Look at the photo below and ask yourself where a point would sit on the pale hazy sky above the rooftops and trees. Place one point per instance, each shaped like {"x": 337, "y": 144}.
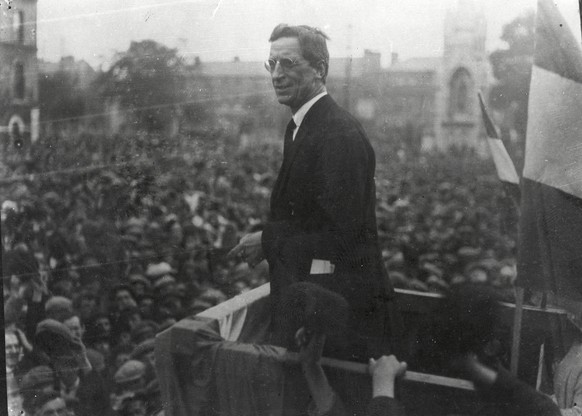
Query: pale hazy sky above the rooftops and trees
{"x": 219, "y": 30}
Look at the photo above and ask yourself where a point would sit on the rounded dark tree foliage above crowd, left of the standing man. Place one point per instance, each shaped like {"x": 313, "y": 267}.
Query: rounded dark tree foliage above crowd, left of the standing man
{"x": 147, "y": 82}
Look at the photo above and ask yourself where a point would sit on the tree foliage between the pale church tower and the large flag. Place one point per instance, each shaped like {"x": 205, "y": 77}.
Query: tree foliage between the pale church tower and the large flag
{"x": 512, "y": 70}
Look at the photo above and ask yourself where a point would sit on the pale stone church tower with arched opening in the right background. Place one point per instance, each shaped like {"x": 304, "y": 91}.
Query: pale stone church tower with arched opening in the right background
{"x": 465, "y": 71}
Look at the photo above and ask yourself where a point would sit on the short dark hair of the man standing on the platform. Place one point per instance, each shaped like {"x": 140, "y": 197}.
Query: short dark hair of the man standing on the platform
{"x": 312, "y": 42}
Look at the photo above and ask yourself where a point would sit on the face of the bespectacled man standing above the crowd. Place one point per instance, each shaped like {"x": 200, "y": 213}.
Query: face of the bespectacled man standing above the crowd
{"x": 297, "y": 85}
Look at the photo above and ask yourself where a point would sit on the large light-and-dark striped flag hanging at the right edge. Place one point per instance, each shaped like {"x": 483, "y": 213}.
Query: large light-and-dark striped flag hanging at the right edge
{"x": 550, "y": 229}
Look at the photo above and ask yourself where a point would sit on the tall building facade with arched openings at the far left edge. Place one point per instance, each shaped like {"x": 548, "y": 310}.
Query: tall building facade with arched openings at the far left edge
{"x": 19, "y": 114}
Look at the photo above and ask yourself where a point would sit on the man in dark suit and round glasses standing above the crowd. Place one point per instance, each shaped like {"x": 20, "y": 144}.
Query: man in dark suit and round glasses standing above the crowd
{"x": 322, "y": 225}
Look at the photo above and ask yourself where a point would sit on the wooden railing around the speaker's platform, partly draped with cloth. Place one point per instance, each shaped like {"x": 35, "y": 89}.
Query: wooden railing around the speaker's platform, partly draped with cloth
{"x": 242, "y": 318}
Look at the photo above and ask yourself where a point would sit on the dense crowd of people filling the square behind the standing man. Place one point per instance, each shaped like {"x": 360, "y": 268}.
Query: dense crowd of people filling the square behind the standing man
{"x": 107, "y": 241}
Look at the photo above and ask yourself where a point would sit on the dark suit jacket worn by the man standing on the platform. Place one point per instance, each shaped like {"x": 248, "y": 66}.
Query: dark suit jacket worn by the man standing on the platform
{"x": 323, "y": 207}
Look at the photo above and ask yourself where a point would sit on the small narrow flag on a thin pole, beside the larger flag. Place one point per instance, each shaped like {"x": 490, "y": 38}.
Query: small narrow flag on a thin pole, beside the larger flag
{"x": 503, "y": 163}
